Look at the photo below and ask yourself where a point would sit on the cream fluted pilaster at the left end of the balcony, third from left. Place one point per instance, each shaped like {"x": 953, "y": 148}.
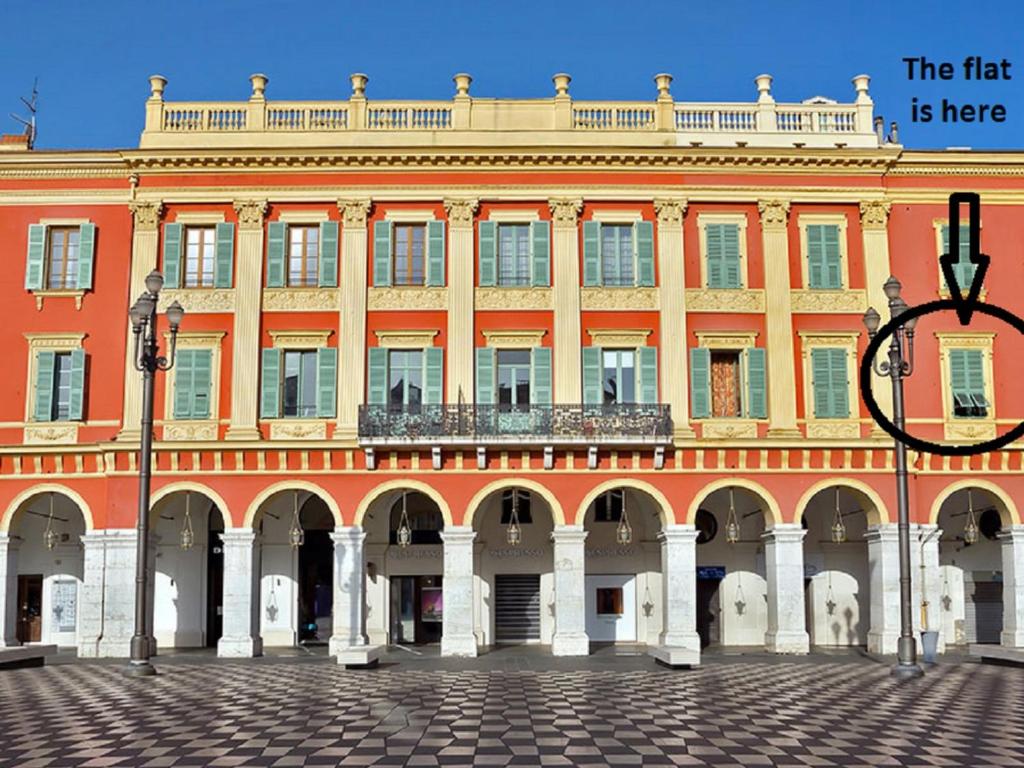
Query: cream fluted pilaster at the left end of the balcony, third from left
{"x": 353, "y": 318}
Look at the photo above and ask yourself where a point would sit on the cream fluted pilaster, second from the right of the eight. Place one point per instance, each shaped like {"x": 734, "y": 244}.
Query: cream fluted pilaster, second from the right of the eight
{"x": 779, "y": 320}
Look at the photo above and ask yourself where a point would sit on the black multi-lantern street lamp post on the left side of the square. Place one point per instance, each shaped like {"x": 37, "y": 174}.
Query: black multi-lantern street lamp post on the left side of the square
{"x": 148, "y": 360}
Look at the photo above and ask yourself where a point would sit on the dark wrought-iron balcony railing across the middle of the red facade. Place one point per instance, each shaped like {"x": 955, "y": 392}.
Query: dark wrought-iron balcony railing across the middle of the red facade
{"x": 620, "y": 424}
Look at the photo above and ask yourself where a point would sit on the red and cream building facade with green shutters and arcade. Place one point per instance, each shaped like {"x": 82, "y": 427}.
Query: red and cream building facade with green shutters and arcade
{"x": 490, "y": 371}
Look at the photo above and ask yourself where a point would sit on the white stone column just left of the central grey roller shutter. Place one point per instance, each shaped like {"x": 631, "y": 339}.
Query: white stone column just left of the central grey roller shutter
{"x": 457, "y": 592}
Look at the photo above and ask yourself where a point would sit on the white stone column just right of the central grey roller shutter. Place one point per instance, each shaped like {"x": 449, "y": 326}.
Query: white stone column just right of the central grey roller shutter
{"x": 571, "y": 606}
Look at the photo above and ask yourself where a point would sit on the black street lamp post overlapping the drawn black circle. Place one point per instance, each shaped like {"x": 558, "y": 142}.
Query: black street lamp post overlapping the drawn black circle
{"x": 900, "y": 367}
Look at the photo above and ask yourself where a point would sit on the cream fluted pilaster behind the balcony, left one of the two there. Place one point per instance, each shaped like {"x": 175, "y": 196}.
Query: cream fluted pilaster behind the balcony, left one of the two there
{"x": 460, "y": 311}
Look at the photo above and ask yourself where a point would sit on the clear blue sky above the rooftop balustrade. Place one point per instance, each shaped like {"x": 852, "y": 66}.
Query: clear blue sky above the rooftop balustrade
{"x": 93, "y": 59}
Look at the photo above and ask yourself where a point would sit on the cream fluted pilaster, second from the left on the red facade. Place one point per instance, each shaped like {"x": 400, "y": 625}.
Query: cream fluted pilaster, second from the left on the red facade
{"x": 245, "y": 348}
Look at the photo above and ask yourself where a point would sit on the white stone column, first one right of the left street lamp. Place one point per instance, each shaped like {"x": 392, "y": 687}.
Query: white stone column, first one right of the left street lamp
{"x": 241, "y": 631}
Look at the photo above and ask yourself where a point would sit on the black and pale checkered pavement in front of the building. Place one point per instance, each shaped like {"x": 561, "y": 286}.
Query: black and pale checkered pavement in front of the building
{"x": 734, "y": 713}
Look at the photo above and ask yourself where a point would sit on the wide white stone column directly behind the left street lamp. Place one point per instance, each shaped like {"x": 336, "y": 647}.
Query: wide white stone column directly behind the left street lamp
{"x": 107, "y": 619}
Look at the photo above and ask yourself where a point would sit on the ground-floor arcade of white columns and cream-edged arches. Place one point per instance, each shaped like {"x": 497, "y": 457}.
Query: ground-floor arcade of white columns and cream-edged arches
{"x": 733, "y": 564}
